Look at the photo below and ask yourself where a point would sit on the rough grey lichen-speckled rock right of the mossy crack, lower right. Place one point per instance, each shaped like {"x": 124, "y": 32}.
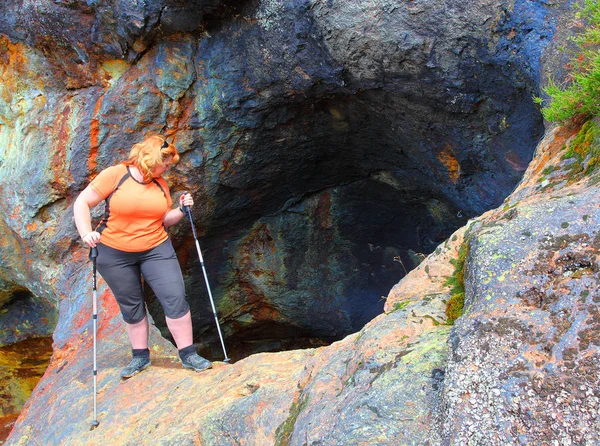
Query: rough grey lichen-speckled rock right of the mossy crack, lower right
{"x": 523, "y": 363}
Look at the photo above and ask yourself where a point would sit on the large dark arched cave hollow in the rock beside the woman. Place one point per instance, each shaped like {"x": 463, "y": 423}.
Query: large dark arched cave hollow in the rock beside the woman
{"x": 318, "y": 213}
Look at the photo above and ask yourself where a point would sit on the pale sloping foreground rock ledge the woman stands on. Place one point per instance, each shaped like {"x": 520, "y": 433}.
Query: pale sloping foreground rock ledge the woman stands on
{"x": 519, "y": 367}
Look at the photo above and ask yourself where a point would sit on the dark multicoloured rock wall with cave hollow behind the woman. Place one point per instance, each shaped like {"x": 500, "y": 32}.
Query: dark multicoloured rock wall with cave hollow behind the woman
{"x": 329, "y": 144}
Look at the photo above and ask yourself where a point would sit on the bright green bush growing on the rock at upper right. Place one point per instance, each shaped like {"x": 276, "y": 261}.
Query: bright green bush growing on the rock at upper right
{"x": 579, "y": 96}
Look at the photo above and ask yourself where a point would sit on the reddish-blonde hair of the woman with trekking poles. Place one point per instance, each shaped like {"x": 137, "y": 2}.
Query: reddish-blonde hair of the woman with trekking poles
{"x": 149, "y": 153}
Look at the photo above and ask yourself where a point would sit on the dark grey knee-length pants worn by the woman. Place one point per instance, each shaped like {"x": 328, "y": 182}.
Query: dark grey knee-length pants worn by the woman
{"x": 160, "y": 268}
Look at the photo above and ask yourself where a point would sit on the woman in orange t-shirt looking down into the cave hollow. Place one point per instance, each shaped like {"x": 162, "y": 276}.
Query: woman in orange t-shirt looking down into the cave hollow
{"x": 132, "y": 243}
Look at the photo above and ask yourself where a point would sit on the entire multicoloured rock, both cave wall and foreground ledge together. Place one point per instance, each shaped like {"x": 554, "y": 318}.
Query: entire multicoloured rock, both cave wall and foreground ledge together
{"x": 330, "y": 144}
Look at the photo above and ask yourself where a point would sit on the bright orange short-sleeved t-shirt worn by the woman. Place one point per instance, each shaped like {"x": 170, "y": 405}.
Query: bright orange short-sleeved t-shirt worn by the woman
{"x": 133, "y": 217}
